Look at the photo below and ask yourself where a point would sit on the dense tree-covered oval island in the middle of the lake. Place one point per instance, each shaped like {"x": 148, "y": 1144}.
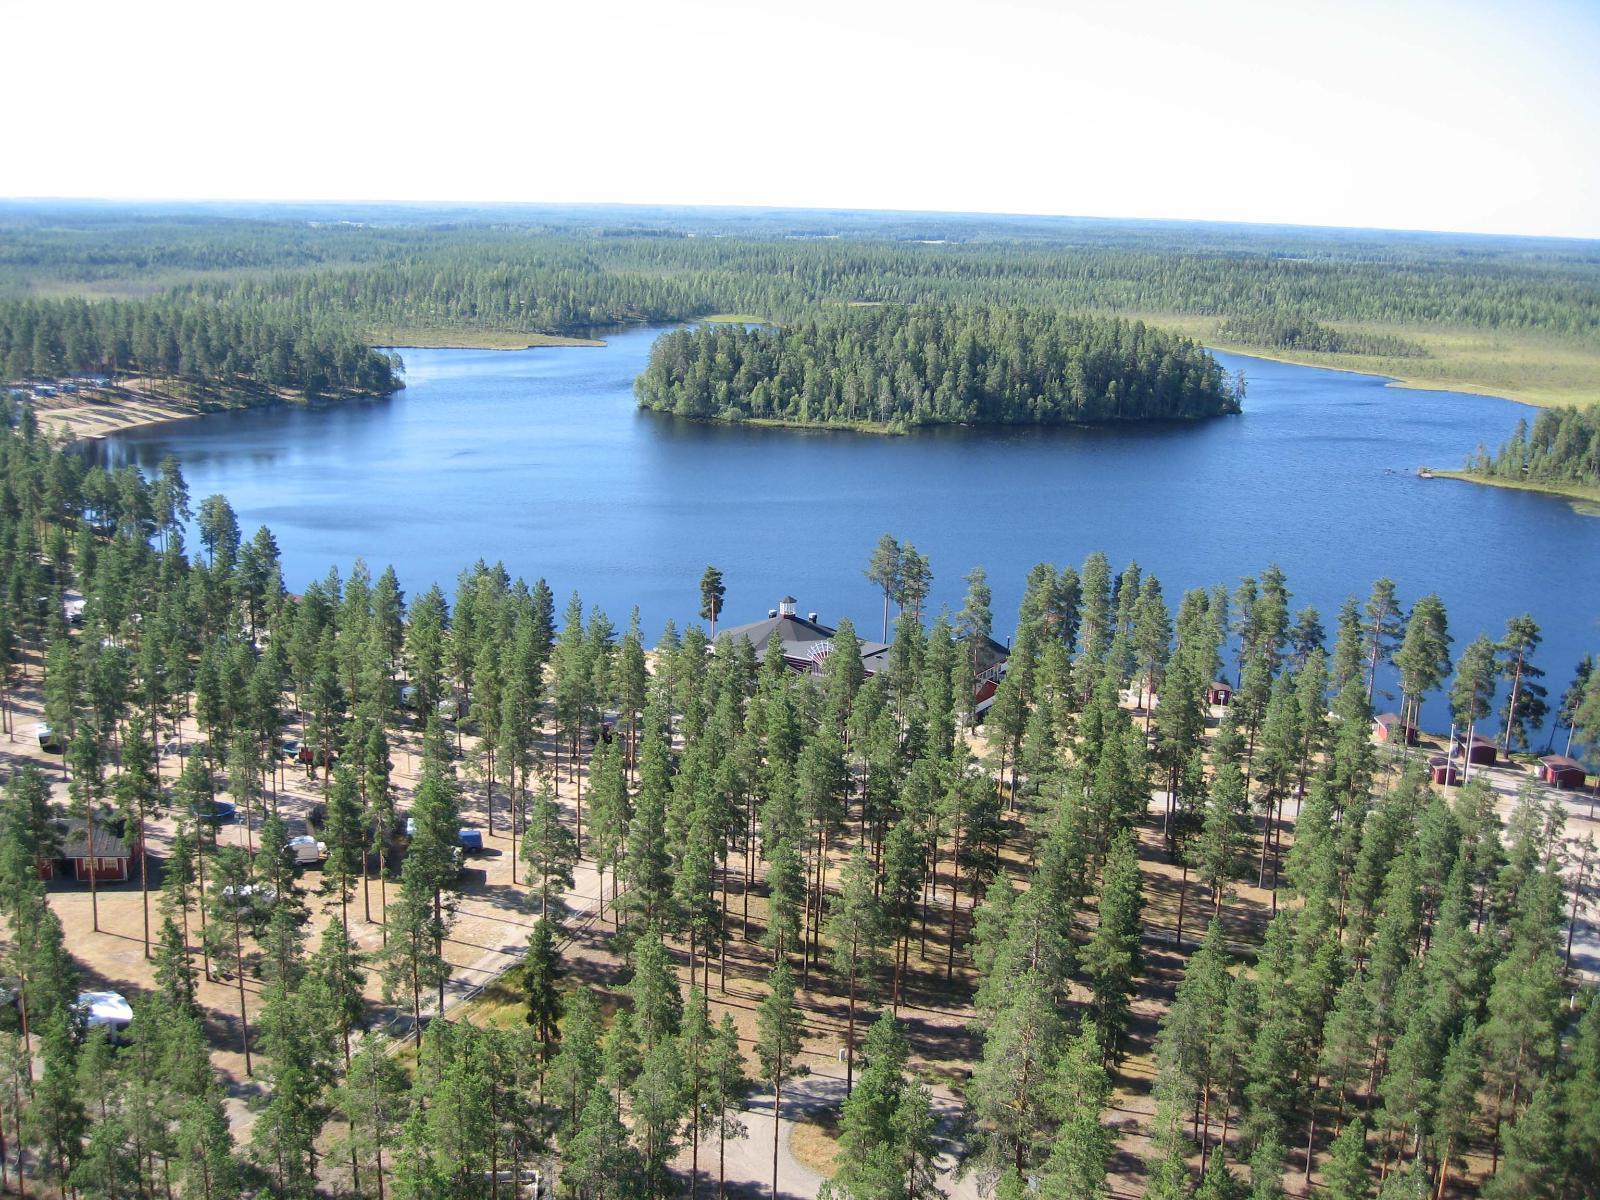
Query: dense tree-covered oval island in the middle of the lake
{"x": 906, "y": 367}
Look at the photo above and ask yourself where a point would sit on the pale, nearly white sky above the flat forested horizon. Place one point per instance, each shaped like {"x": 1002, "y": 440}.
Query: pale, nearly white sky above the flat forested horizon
{"x": 1406, "y": 114}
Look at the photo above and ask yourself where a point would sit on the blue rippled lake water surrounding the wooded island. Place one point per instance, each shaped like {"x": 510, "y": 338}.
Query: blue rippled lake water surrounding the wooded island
{"x": 542, "y": 460}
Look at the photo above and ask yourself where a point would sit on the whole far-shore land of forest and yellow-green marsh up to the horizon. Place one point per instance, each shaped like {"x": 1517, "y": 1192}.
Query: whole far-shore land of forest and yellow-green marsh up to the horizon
{"x": 1513, "y": 316}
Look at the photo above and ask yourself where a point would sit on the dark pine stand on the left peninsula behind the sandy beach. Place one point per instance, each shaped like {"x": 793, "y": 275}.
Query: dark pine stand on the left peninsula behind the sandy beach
{"x": 186, "y": 340}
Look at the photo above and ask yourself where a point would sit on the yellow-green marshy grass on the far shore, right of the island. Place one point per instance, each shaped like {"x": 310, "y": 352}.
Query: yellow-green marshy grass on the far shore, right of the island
{"x": 1514, "y": 364}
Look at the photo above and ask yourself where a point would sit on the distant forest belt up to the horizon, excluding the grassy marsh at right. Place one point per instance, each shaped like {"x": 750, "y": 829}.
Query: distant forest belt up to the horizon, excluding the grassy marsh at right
{"x": 551, "y": 270}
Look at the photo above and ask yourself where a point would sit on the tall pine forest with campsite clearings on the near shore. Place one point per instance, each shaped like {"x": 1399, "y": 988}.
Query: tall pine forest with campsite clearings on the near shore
{"x": 1114, "y": 938}
